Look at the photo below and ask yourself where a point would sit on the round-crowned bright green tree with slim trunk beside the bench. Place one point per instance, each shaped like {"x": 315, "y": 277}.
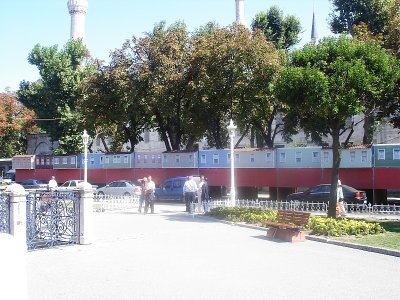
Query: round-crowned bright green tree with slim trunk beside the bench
{"x": 329, "y": 83}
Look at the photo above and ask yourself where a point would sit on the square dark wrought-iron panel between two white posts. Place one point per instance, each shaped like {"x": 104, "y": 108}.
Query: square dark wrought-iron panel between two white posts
{"x": 52, "y": 219}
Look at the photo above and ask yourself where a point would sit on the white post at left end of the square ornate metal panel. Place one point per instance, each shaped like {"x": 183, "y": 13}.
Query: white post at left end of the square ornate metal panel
{"x": 18, "y": 213}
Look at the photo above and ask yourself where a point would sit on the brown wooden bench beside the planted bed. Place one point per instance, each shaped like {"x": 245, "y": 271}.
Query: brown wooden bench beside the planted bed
{"x": 289, "y": 226}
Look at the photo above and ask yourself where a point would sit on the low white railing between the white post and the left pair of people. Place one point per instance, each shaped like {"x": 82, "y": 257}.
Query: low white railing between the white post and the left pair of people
{"x": 102, "y": 203}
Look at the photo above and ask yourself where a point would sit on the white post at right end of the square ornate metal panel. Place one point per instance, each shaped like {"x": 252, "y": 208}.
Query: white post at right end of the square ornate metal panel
{"x": 86, "y": 222}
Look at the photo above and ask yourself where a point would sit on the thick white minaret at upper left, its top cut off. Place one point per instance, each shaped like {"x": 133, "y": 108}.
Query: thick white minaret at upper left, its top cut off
{"x": 77, "y": 9}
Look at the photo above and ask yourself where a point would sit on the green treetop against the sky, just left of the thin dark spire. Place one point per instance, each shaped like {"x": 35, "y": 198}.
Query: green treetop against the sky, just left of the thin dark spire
{"x": 282, "y": 31}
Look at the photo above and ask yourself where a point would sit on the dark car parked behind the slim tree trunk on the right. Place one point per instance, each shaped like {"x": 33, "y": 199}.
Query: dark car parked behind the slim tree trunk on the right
{"x": 321, "y": 193}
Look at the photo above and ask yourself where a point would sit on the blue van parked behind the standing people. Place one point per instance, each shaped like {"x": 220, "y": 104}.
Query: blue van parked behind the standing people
{"x": 172, "y": 189}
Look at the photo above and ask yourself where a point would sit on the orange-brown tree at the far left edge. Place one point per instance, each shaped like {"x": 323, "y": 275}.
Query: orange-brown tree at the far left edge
{"x": 16, "y": 122}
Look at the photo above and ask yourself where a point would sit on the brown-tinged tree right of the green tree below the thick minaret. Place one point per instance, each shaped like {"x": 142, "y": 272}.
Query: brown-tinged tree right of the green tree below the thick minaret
{"x": 115, "y": 102}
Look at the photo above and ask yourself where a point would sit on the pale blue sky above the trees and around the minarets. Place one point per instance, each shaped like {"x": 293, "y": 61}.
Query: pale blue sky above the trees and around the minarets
{"x": 25, "y": 23}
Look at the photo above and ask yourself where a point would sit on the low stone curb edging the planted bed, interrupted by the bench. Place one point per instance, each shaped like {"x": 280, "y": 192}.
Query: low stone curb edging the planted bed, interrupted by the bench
{"x": 320, "y": 239}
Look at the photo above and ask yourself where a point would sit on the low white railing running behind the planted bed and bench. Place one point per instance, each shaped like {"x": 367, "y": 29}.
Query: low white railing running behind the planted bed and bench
{"x": 300, "y": 206}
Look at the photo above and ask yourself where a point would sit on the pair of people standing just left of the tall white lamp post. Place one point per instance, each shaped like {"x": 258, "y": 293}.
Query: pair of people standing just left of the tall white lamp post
{"x": 192, "y": 191}
